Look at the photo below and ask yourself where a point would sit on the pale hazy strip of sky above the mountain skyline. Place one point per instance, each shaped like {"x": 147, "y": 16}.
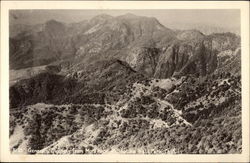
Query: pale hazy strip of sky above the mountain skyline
{"x": 173, "y": 18}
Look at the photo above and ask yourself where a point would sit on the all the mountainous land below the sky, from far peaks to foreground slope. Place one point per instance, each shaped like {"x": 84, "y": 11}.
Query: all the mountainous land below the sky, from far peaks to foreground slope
{"x": 124, "y": 84}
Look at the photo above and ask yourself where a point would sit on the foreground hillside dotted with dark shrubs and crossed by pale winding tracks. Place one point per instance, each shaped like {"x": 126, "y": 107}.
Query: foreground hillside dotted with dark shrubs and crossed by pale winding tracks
{"x": 158, "y": 116}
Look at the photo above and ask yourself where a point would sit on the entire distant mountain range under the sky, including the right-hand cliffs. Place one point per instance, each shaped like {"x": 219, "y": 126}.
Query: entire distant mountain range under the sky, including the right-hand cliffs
{"x": 125, "y": 37}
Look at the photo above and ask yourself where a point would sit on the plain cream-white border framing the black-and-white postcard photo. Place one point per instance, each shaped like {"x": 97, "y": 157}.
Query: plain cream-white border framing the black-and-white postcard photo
{"x": 6, "y": 5}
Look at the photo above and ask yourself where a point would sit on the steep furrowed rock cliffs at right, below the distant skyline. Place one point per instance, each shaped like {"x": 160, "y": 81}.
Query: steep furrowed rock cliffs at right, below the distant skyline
{"x": 195, "y": 55}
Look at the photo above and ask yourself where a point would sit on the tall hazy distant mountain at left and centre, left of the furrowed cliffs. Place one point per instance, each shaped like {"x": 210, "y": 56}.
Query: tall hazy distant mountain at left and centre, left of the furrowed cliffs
{"x": 57, "y": 41}
